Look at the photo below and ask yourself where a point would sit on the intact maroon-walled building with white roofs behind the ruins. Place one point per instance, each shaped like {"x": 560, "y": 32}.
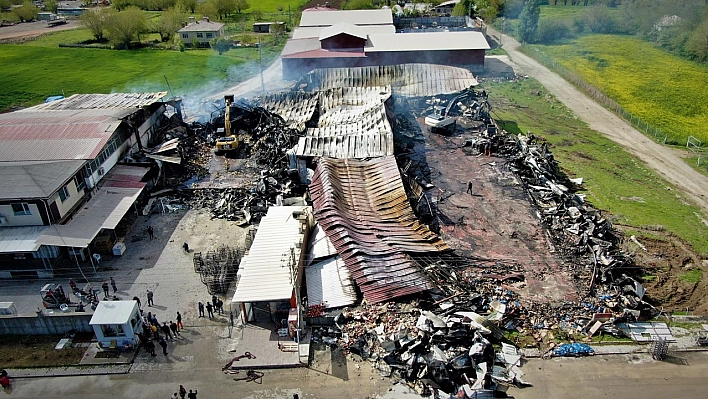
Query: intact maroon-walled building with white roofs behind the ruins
{"x": 362, "y": 38}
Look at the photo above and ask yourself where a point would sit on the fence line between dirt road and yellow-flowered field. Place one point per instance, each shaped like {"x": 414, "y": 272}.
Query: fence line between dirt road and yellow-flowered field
{"x": 592, "y": 91}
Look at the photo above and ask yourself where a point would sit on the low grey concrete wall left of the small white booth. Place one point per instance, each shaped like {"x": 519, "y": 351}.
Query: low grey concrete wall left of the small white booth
{"x": 45, "y": 324}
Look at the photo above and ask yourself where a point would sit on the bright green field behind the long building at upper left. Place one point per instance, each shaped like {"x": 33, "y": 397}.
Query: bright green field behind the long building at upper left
{"x": 40, "y": 69}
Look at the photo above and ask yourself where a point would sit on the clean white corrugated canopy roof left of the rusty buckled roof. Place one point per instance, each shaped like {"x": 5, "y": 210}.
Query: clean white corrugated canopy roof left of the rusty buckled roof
{"x": 265, "y": 273}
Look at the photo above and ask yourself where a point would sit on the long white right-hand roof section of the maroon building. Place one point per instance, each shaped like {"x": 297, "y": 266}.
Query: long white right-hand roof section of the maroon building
{"x": 427, "y": 41}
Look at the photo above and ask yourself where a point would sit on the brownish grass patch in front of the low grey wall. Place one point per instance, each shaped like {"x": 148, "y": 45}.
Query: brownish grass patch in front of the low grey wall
{"x": 37, "y": 351}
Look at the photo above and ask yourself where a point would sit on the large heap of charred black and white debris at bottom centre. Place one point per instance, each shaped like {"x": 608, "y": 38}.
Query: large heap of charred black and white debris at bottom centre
{"x": 439, "y": 355}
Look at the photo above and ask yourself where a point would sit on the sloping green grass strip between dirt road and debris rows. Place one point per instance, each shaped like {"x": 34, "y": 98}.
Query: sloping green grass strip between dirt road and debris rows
{"x": 613, "y": 180}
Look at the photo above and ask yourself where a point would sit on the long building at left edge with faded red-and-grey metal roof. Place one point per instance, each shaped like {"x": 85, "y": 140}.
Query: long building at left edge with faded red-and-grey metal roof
{"x": 61, "y": 182}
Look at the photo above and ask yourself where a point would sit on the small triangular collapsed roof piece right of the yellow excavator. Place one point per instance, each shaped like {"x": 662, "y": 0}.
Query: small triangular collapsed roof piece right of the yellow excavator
{"x": 296, "y": 108}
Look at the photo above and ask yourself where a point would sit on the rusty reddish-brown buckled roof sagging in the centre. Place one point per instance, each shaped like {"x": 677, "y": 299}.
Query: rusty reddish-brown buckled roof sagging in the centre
{"x": 363, "y": 208}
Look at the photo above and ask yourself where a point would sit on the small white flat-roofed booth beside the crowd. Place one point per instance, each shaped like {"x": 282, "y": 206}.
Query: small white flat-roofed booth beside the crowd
{"x": 117, "y": 321}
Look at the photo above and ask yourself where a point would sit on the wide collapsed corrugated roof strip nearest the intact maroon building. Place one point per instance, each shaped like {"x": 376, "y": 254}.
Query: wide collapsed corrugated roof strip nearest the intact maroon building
{"x": 412, "y": 80}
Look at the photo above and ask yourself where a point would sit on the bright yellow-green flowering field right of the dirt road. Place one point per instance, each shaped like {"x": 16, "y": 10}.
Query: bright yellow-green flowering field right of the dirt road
{"x": 666, "y": 91}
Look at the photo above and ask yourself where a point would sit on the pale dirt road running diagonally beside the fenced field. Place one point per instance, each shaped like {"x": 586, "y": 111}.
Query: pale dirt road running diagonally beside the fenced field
{"x": 663, "y": 160}
